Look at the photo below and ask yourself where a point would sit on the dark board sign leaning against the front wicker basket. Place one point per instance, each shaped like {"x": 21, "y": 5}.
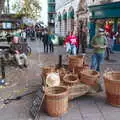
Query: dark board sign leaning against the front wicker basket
{"x": 37, "y": 102}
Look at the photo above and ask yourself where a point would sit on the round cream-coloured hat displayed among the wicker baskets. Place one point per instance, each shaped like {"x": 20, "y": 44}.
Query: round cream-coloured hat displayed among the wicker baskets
{"x": 53, "y": 79}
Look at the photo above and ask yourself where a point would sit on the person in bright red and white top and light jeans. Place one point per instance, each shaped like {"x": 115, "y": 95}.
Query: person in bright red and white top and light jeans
{"x": 73, "y": 40}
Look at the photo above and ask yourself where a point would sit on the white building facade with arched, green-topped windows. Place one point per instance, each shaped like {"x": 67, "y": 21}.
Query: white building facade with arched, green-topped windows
{"x": 66, "y": 17}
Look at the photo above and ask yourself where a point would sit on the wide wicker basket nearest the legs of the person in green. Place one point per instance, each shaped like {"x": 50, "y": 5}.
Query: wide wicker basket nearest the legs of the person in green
{"x": 89, "y": 77}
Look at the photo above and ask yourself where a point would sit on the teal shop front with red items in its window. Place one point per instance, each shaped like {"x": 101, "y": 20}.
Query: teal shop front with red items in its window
{"x": 101, "y": 16}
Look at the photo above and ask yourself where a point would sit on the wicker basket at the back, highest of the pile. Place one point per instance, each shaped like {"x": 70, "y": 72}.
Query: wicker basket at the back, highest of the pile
{"x": 75, "y": 61}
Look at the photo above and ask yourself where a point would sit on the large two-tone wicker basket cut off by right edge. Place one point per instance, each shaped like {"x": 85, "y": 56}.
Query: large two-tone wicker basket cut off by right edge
{"x": 112, "y": 86}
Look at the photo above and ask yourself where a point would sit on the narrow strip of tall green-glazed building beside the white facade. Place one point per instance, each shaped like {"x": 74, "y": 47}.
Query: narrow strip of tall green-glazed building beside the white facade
{"x": 51, "y": 15}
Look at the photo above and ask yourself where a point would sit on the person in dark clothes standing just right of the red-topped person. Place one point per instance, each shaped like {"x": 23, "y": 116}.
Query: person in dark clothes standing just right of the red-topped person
{"x": 84, "y": 40}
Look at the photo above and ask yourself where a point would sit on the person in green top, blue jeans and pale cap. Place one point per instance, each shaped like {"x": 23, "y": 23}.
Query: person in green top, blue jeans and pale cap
{"x": 99, "y": 44}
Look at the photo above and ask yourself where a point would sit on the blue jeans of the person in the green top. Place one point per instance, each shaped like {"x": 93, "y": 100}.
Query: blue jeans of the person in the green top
{"x": 97, "y": 60}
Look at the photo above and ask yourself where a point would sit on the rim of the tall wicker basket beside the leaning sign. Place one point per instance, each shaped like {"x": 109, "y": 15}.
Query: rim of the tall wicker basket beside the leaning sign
{"x": 60, "y": 94}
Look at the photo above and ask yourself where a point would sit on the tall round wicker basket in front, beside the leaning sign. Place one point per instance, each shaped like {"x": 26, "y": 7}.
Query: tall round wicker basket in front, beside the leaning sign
{"x": 56, "y": 100}
